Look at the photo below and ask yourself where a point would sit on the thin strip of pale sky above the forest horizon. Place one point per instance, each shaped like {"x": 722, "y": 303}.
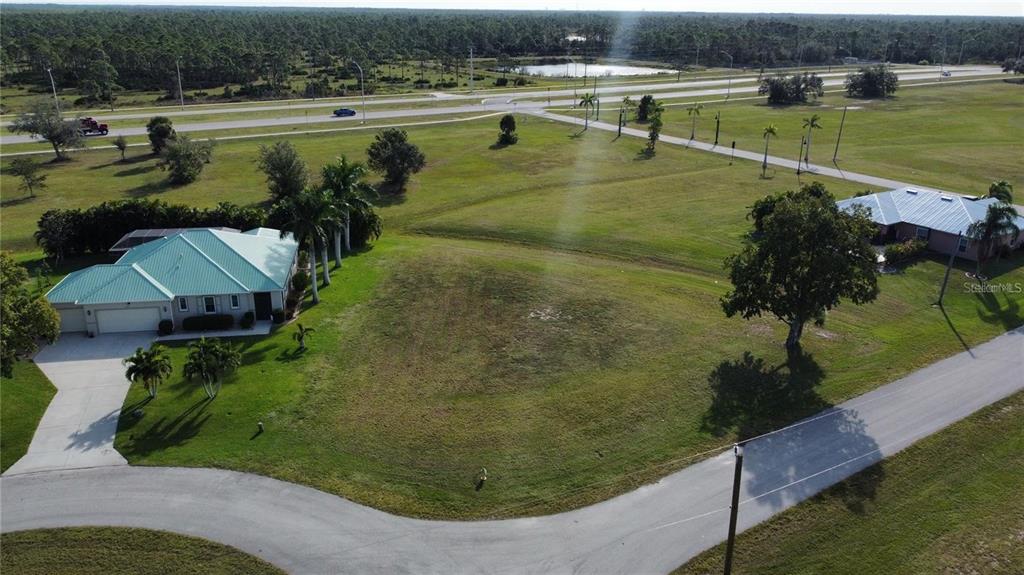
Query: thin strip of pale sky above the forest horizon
{"x": 936, "y": 8}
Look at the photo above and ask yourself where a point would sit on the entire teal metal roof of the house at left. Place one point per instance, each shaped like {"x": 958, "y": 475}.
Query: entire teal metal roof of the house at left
{"x": 196, "y": 262}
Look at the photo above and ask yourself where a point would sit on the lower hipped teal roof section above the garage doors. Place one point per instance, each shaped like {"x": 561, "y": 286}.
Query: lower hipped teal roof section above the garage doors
{"x": 109, "y": 284}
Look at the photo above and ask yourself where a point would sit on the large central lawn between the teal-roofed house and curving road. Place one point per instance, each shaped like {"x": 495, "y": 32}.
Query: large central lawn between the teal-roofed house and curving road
{"x": 548, "y": 312}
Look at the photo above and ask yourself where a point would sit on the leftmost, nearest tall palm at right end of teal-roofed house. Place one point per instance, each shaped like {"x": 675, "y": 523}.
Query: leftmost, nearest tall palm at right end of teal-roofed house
{"x": 308, "y": 215}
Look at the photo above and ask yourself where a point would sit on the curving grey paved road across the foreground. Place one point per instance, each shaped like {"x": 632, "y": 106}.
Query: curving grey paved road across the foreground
{"x": 651, "y": 530}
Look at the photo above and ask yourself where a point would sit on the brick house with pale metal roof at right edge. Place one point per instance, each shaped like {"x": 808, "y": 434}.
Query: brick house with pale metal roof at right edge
{"x": 935, "y": 217}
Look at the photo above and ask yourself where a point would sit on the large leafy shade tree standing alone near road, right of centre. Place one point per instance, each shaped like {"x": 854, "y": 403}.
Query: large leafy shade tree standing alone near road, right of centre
{"x": 807, "y": 257}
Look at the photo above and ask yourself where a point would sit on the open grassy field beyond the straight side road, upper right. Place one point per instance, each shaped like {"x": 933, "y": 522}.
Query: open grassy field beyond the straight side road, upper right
{"x": 957, "y": 138}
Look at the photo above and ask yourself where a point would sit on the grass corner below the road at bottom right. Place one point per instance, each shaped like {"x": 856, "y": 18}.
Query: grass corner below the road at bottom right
{"x": 951, "y": 504}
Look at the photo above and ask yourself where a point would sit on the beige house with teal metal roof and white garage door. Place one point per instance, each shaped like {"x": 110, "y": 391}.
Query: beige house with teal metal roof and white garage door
{"x": 193, "y": 273}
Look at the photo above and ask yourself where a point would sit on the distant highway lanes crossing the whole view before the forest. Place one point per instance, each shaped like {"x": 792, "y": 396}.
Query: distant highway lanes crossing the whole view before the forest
{"x": 522, "y": 102}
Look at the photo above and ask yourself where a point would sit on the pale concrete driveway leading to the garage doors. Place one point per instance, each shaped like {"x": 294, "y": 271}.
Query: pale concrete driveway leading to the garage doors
{"x": 78, "y": 429}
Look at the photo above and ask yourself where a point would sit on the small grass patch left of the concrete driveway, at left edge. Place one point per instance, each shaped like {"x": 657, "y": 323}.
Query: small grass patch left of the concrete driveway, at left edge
{"x": 26, "y": 396}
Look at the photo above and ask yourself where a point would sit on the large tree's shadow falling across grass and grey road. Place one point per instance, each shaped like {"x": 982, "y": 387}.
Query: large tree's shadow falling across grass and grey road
{"x": 752, "y": 399}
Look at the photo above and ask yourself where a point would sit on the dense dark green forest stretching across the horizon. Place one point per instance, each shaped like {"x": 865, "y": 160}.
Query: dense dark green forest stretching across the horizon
{"x": 99, "y": 50}
